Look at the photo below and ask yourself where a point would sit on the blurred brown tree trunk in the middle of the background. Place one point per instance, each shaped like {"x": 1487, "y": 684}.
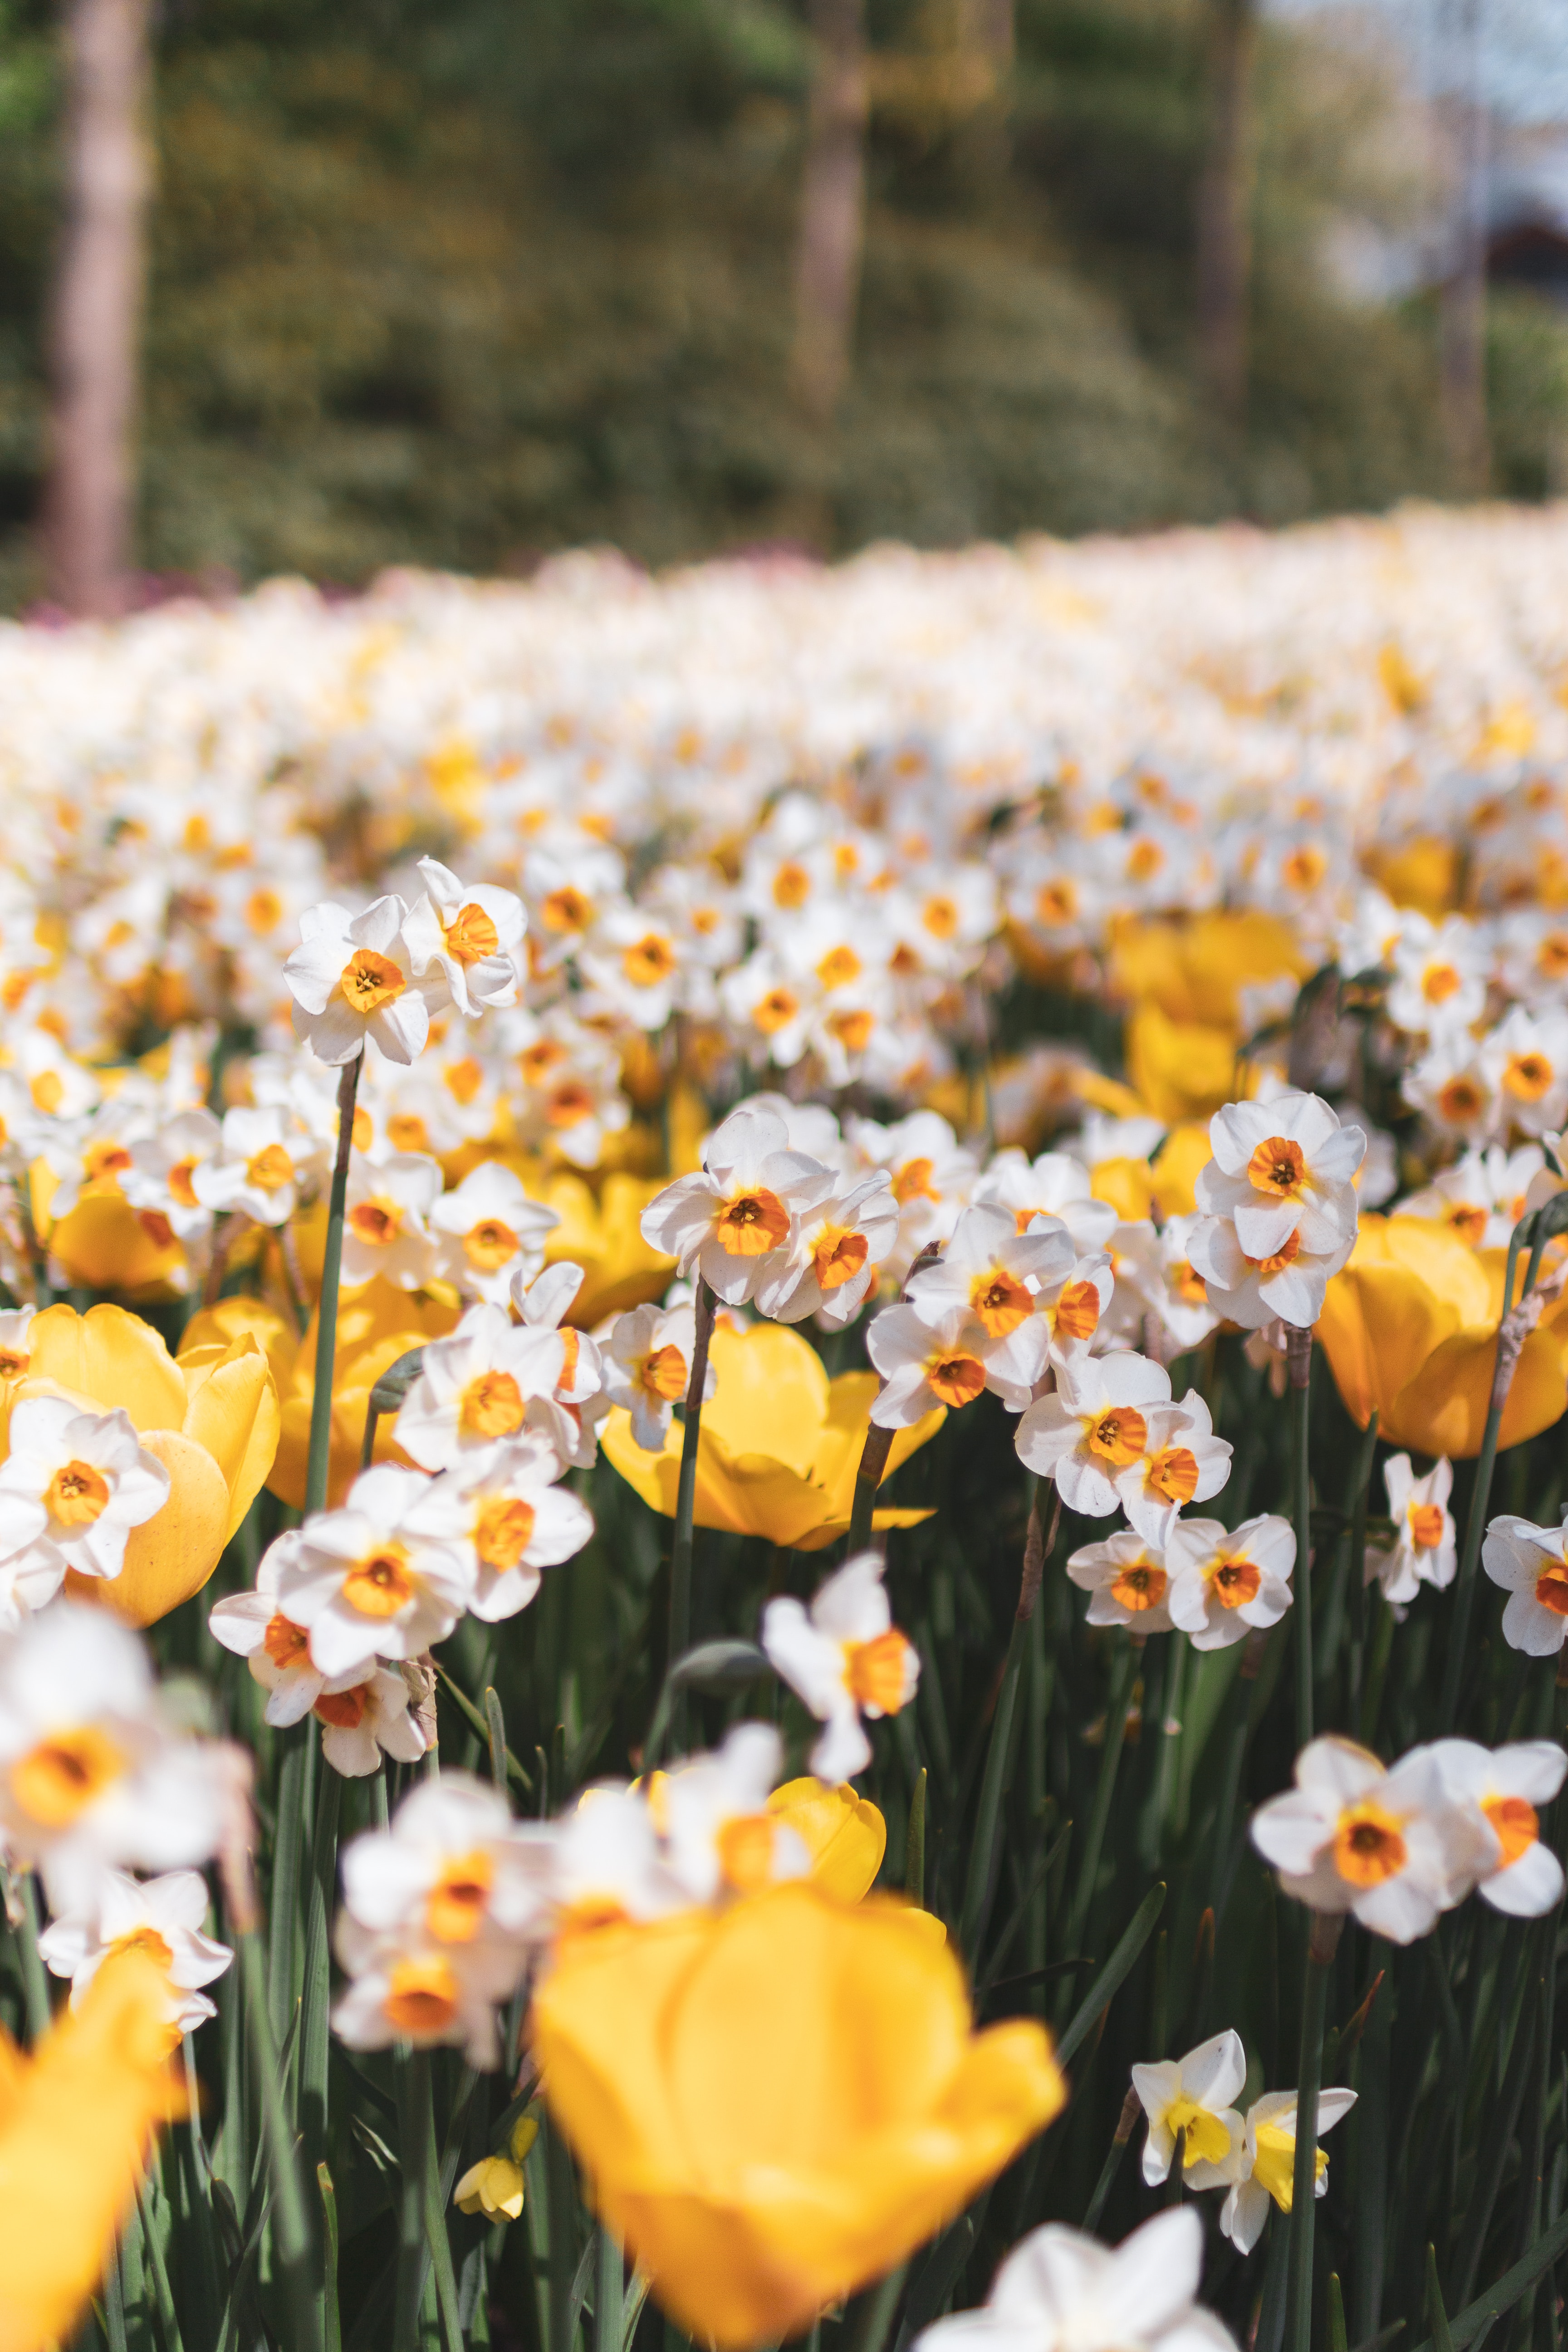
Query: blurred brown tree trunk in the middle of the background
{"x": 833, "y": 208}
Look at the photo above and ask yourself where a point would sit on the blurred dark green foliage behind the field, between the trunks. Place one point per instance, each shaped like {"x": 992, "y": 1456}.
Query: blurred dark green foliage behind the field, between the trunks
{"x": 469, "y": 283}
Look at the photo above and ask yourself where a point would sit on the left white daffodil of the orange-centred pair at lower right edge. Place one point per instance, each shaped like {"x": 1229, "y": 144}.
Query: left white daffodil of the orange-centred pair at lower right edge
{"x": 1383, "y": 1845}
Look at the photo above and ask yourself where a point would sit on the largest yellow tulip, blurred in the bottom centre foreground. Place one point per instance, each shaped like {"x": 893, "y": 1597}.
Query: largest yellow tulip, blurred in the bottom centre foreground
{"x": 779, "y": 2102}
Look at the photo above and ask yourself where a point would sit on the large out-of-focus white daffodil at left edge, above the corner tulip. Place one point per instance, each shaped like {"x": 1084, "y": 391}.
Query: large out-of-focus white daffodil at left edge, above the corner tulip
{"x": 91, "y": 1775}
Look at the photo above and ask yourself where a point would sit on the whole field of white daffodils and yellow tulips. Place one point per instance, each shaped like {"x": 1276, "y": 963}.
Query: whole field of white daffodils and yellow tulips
{"x": 523, "y": 1109}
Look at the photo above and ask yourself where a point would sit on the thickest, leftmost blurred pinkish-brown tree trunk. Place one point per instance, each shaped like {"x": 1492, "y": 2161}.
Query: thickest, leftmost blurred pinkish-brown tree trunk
{"x": 95, "y": 307}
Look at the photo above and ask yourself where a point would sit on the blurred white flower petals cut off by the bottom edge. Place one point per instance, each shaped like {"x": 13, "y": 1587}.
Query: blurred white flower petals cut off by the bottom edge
{"x": 1064, "y": 2292}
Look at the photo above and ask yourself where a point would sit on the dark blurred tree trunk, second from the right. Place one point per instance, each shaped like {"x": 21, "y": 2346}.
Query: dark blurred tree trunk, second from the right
{"x": 1226, "y": 208}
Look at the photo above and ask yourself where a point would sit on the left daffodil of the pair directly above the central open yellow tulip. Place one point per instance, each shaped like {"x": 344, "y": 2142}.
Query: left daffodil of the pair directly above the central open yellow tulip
{"x": 735, "y": 1222}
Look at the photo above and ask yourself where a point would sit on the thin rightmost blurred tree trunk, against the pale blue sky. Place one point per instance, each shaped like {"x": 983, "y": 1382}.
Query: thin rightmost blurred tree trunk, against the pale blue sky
{"x": 1463, "y": 295}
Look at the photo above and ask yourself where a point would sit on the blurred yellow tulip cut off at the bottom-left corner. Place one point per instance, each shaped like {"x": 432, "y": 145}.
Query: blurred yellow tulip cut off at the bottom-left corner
{"x": 76, "y": 2120}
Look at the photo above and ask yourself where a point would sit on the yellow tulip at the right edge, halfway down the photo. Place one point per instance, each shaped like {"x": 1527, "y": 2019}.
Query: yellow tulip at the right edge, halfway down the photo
{"x": 1412, "y": 1330}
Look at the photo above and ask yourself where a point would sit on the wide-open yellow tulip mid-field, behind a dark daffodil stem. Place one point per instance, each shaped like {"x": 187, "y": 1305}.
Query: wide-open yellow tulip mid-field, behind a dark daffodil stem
{"x": 779, "y": 1448}
